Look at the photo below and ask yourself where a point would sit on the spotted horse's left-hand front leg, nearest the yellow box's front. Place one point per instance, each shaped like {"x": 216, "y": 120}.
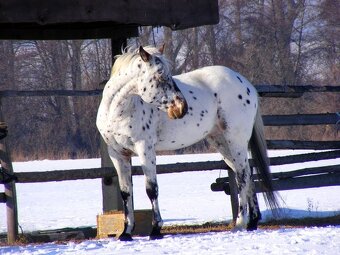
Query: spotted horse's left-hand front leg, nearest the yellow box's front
{"x": 123, "y": 168}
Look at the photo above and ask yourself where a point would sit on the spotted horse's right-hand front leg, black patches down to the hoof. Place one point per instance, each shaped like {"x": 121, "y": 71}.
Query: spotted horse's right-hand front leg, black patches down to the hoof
{"x": 147, "y": 155}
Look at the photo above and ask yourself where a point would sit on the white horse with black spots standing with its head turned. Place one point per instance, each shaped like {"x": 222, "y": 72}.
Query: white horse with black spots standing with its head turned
{"x": 145, "y": 109}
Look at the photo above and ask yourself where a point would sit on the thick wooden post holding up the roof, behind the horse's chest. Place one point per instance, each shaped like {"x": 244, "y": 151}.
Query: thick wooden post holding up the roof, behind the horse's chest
{"x": 110, "y": 187}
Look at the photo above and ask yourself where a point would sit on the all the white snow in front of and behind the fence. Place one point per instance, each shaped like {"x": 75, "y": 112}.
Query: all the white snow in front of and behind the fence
{"x": 185, "y": 198}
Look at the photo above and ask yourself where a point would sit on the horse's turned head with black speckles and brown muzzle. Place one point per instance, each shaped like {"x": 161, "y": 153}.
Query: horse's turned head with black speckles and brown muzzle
{"x": 156, "y": 85}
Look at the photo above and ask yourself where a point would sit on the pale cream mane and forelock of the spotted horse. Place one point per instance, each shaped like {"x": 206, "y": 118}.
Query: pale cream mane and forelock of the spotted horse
{"x": 131, "y": 53}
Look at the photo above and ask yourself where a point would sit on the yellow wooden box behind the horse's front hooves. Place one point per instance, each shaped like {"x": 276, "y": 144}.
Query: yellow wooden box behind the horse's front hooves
{"x": 111, "y": 224}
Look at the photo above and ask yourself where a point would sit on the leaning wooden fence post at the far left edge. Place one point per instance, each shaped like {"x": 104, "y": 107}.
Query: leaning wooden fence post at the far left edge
{"x": 10, "y": 191}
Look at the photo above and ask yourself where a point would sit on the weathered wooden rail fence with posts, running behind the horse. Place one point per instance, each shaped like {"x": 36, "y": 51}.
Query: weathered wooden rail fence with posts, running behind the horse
{"x": 107, "y": 173}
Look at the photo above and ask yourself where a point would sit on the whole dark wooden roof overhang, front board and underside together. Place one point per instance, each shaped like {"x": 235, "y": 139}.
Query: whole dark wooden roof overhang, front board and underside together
{"x": 20, "y": 19}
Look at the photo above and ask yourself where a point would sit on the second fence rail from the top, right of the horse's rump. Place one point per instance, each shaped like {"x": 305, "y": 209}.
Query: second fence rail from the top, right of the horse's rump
{"x": 300, "y": 119}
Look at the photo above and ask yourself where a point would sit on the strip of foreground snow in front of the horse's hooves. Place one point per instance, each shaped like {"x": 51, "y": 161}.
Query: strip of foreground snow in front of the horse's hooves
{"x": 284, "y": 241}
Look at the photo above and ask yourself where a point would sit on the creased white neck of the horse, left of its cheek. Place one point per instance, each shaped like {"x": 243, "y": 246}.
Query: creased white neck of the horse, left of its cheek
{"x": 117, "y": 95}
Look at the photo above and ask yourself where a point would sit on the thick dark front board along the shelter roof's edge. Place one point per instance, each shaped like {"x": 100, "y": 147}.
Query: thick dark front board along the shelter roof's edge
{"x": 183, "y": 13}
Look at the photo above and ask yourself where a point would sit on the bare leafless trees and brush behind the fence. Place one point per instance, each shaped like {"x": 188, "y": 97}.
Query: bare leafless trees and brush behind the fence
{"x": 270, "y": 42}
